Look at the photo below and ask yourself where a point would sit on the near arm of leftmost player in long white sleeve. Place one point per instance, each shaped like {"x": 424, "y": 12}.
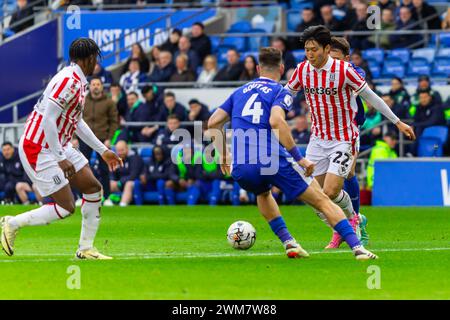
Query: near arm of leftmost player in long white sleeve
{"x": 49, "y": 119}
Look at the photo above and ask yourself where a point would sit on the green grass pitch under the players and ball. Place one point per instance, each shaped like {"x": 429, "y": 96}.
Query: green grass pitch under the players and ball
{"x": 182, "y": 253}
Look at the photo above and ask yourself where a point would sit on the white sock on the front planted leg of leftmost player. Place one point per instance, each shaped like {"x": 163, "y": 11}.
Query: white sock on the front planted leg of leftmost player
{"x": 90, "y": 210}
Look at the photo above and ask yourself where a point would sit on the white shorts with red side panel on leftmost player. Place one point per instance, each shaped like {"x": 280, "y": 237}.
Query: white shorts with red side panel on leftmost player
{"x": 43, "y": 169}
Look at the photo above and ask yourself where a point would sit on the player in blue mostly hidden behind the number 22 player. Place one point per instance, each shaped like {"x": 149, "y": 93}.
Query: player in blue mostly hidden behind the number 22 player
{"x": 340, "y": 50}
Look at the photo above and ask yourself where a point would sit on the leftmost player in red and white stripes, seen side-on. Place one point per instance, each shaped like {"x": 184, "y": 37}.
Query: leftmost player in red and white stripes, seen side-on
{"x": 53, "y": 164}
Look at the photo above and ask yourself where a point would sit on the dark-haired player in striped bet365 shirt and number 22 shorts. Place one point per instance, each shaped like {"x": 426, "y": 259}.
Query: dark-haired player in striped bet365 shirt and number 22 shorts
{"x": 328, "y": 85}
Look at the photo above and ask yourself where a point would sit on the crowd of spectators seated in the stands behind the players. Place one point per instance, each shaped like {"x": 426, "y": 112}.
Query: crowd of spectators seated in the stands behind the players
{"x": 149, "y": 175}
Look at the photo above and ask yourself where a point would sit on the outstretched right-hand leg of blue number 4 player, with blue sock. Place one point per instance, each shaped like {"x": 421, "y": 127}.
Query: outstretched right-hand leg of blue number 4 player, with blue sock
{"x": 315, "y": 197}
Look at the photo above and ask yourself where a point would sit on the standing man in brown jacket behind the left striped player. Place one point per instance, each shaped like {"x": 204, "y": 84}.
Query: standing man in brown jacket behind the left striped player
{"x": 100, "y": 113}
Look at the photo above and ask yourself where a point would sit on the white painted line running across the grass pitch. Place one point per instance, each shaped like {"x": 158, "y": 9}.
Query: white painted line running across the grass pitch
{"x": 148, "y": 256}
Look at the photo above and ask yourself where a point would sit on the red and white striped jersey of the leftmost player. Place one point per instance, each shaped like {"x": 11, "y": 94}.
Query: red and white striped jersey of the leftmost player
{"x": 67, "y": 89}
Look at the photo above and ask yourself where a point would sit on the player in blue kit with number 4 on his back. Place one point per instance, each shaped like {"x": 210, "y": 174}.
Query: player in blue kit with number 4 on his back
{"x": 258, "y": 119}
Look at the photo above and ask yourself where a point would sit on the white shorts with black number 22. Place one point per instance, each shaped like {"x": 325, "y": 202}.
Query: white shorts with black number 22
{"x": 334, "y": 157}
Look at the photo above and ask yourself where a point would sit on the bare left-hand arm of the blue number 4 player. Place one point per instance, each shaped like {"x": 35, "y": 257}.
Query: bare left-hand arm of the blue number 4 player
{"x": 215, "y": 126}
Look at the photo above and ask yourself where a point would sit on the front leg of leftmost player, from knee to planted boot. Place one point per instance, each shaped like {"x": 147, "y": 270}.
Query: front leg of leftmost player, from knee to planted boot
{"x": 91, "y": 189}
